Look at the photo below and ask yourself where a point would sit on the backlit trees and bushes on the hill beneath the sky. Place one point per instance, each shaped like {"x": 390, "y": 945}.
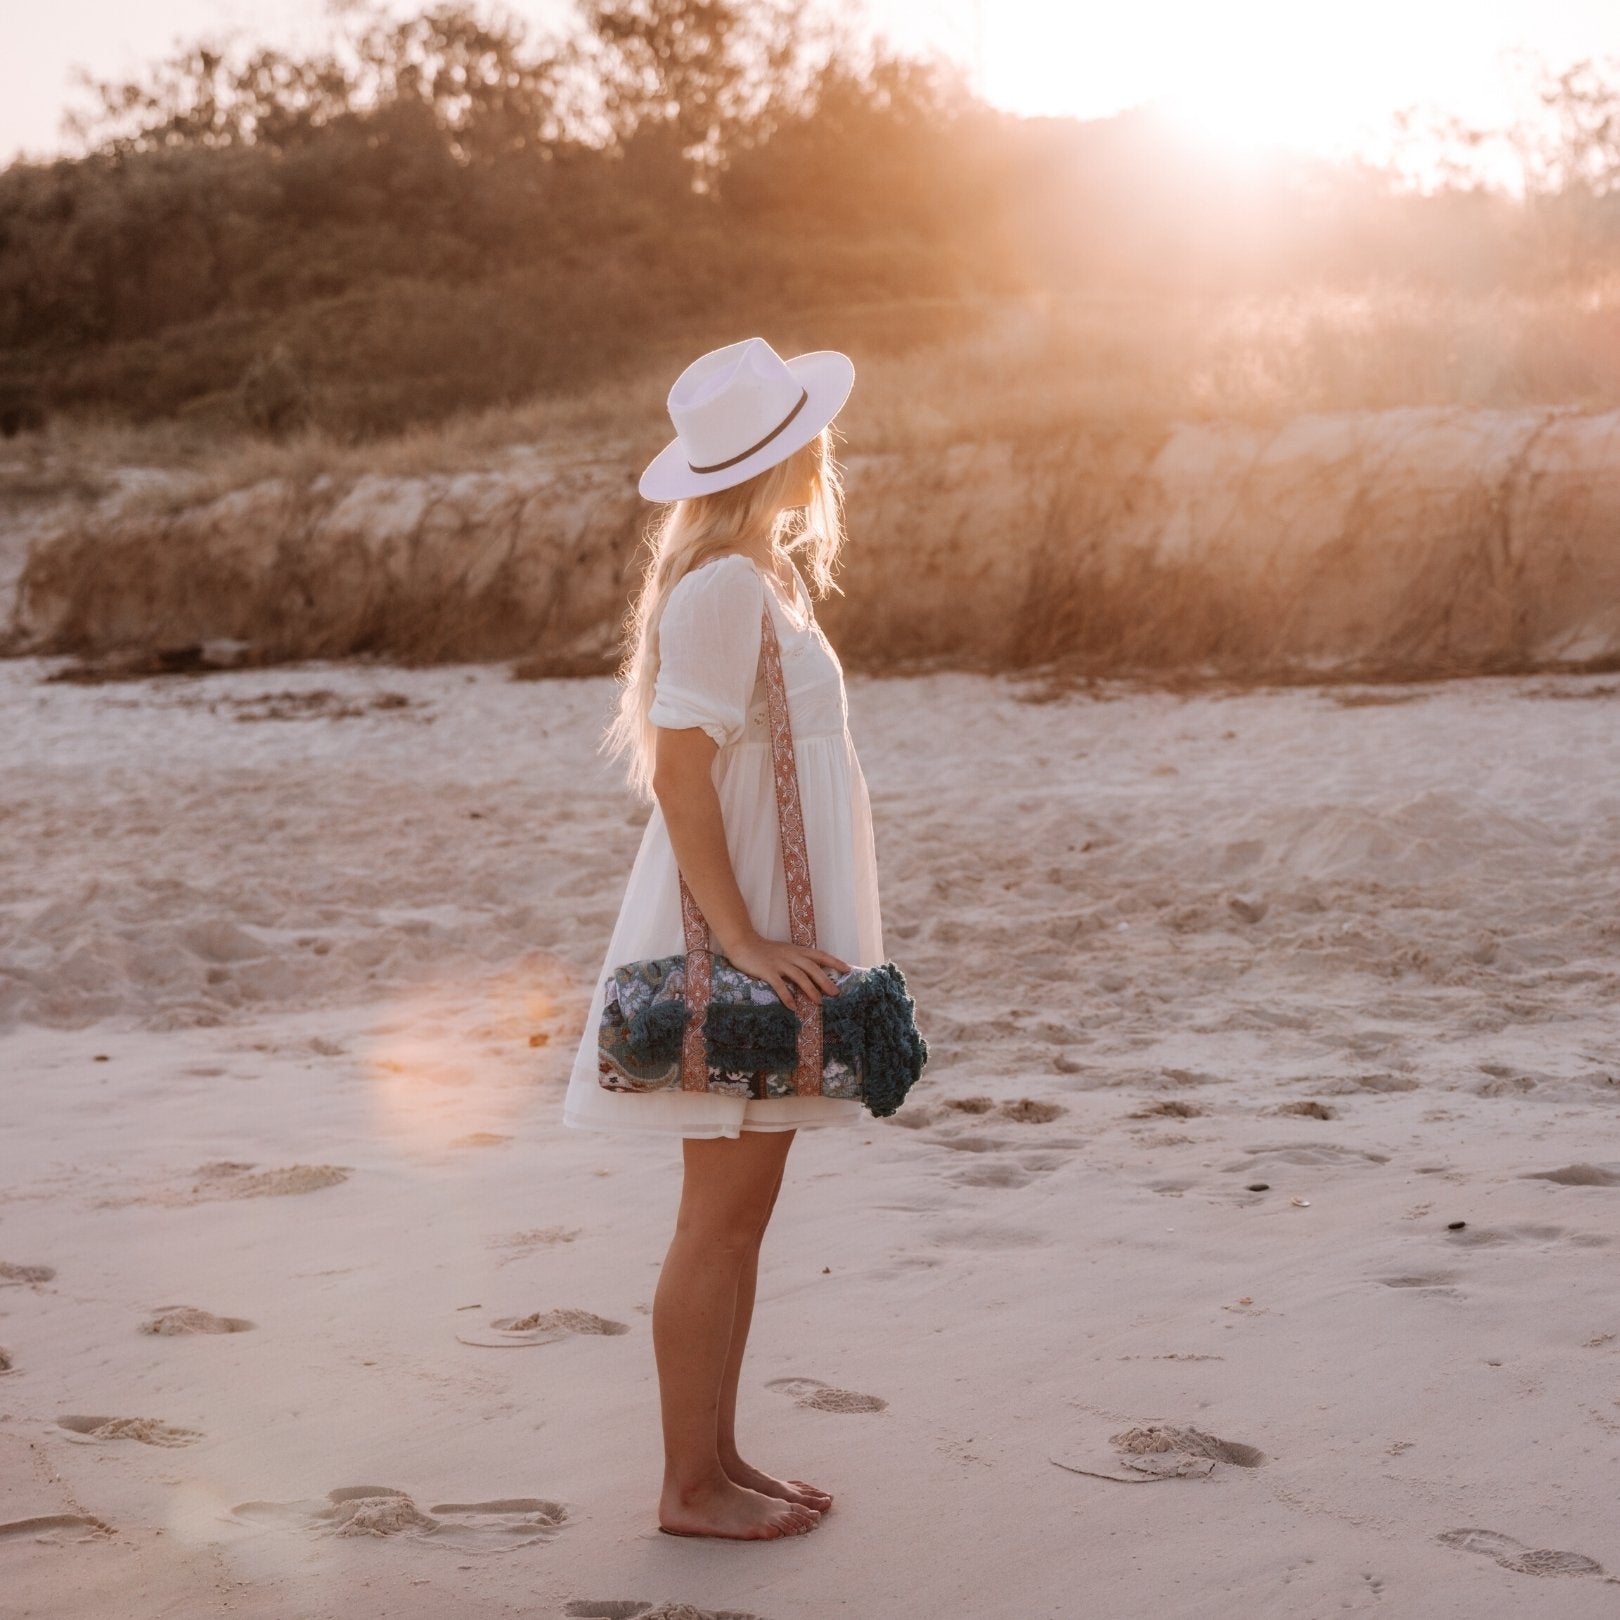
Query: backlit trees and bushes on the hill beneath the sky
{"x": 450, "y": 215}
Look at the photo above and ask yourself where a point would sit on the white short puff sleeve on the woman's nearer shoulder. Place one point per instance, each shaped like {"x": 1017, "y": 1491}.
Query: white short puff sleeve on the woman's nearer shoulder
{"x": 709, "y": 649}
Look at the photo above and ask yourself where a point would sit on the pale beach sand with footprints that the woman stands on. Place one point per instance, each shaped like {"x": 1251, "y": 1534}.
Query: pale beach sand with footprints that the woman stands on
{"x": 1363, "y": 953}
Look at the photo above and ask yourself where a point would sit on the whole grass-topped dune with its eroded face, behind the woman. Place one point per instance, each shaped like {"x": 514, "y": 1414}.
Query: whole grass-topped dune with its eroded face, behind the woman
{"x": 1005, "y": 488}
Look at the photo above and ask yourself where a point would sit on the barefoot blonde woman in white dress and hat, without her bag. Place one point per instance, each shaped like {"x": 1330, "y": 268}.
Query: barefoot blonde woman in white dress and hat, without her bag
{"x": 748, "y": 482}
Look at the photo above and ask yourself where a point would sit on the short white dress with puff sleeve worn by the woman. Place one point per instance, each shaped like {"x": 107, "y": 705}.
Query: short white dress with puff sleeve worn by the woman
{"x": 710, "y": 676}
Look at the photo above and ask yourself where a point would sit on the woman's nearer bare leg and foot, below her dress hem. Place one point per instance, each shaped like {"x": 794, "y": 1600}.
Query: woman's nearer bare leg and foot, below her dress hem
{"x": 725, "y": 1200}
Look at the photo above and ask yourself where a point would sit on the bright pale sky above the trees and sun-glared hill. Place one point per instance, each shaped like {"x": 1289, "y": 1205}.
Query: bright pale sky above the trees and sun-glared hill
{"x": 1240, "y": 72}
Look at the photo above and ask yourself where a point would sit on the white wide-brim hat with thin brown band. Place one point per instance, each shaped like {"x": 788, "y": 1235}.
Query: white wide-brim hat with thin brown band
{"x": 743, "y": 409}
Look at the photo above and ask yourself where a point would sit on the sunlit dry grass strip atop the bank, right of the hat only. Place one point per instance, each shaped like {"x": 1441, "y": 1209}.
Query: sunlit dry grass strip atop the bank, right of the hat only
{"x": 1034, "y": 370}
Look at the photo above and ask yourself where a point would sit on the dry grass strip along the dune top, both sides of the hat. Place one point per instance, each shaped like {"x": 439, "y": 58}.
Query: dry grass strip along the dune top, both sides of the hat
{"x": 1017, "y": 369}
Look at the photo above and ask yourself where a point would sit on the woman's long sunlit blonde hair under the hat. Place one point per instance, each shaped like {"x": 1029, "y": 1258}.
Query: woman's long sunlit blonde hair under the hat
{"x": 684, "y": 537}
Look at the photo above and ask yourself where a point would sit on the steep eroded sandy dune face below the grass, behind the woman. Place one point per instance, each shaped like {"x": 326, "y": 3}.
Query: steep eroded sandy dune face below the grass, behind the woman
{"x": 1413, "y": 544}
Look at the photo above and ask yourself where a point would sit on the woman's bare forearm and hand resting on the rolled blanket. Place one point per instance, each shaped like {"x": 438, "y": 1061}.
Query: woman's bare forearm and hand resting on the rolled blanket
{"x": 684, "y": 787}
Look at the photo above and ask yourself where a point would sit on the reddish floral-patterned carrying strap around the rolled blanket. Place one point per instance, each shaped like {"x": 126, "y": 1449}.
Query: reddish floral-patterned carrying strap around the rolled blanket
{"x": 801, "y": 910}
